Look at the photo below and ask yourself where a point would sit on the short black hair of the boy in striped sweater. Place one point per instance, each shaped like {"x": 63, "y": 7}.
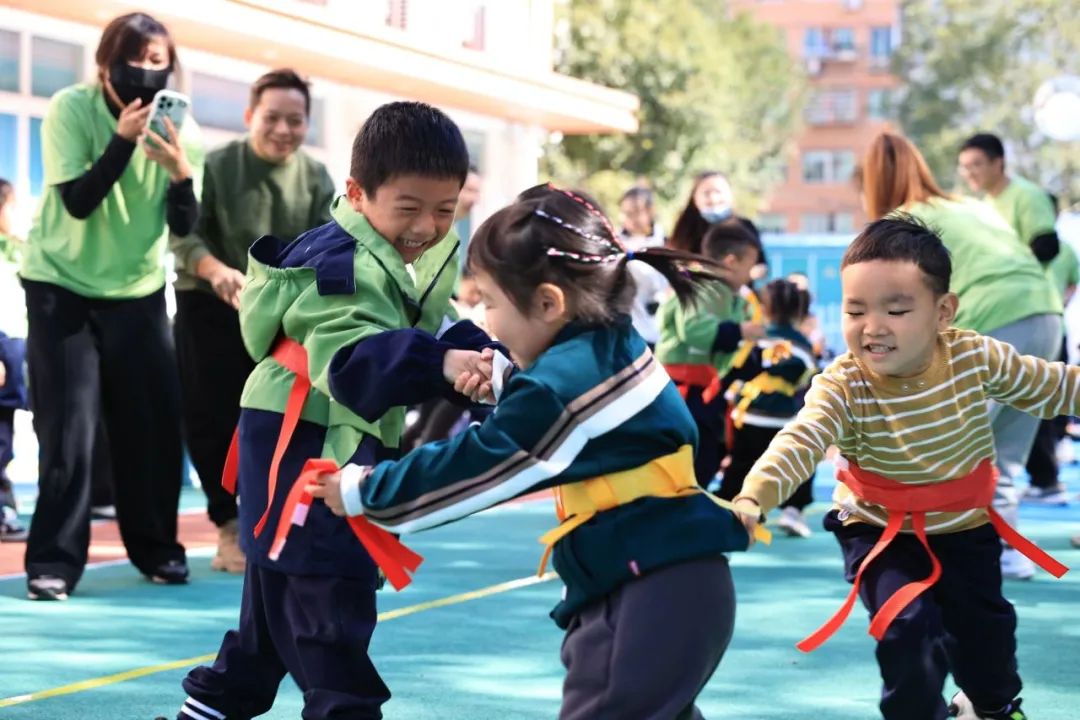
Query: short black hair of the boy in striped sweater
{"x": 900, "y": 238}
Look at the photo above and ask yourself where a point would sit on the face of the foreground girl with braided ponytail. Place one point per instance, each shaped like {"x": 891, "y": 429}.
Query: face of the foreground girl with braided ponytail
{"x": 526, "y": 336}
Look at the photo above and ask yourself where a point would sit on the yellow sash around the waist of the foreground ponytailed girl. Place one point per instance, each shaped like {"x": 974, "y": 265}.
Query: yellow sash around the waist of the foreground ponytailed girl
{"x": 670, "y": 477}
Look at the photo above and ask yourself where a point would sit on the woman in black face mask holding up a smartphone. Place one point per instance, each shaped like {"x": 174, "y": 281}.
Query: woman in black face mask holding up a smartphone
{"x": 99, "y": 341}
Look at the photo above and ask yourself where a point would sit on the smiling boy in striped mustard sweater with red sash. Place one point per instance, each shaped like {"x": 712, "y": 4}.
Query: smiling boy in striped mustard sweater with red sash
{"x": 908, "y": 409}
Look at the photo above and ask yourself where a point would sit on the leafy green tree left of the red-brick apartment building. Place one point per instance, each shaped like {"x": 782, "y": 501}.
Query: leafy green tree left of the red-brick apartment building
{"x": 717, "y": 93}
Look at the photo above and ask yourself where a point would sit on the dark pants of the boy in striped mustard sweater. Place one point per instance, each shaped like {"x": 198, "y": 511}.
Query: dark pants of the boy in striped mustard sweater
{"x": 962, "y": 624}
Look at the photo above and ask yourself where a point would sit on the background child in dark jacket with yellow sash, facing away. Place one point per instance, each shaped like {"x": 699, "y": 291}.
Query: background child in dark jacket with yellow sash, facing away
{"x": 778, "y": 370}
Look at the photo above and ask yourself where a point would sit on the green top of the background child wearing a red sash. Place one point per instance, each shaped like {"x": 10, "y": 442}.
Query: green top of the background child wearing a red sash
{"x": 687, "y": 335}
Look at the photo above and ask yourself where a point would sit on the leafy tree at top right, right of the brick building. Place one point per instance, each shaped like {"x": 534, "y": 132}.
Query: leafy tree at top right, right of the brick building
{"x": 975, "y": 66}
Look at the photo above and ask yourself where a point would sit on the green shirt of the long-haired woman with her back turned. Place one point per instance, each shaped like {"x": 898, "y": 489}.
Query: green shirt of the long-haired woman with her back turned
{"x": 997, "y": 278}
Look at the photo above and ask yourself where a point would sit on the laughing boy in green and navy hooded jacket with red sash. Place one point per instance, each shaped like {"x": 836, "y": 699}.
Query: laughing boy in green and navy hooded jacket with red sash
{"x": 345, "y": 320}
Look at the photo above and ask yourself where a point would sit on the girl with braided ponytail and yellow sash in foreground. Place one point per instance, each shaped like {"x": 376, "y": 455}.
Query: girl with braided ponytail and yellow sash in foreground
{"x": 593, "y": 416}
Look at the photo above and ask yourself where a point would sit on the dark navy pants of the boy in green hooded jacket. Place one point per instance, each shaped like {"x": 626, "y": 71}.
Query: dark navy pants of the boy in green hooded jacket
{"x": 317, "y": 629}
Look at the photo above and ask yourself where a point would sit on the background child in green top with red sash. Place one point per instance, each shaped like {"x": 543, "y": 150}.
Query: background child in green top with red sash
{"x": 698, "y": 343}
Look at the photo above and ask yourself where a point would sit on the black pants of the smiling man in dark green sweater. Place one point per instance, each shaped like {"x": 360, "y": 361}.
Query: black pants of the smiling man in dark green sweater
{"x": 214, "y": 368}
